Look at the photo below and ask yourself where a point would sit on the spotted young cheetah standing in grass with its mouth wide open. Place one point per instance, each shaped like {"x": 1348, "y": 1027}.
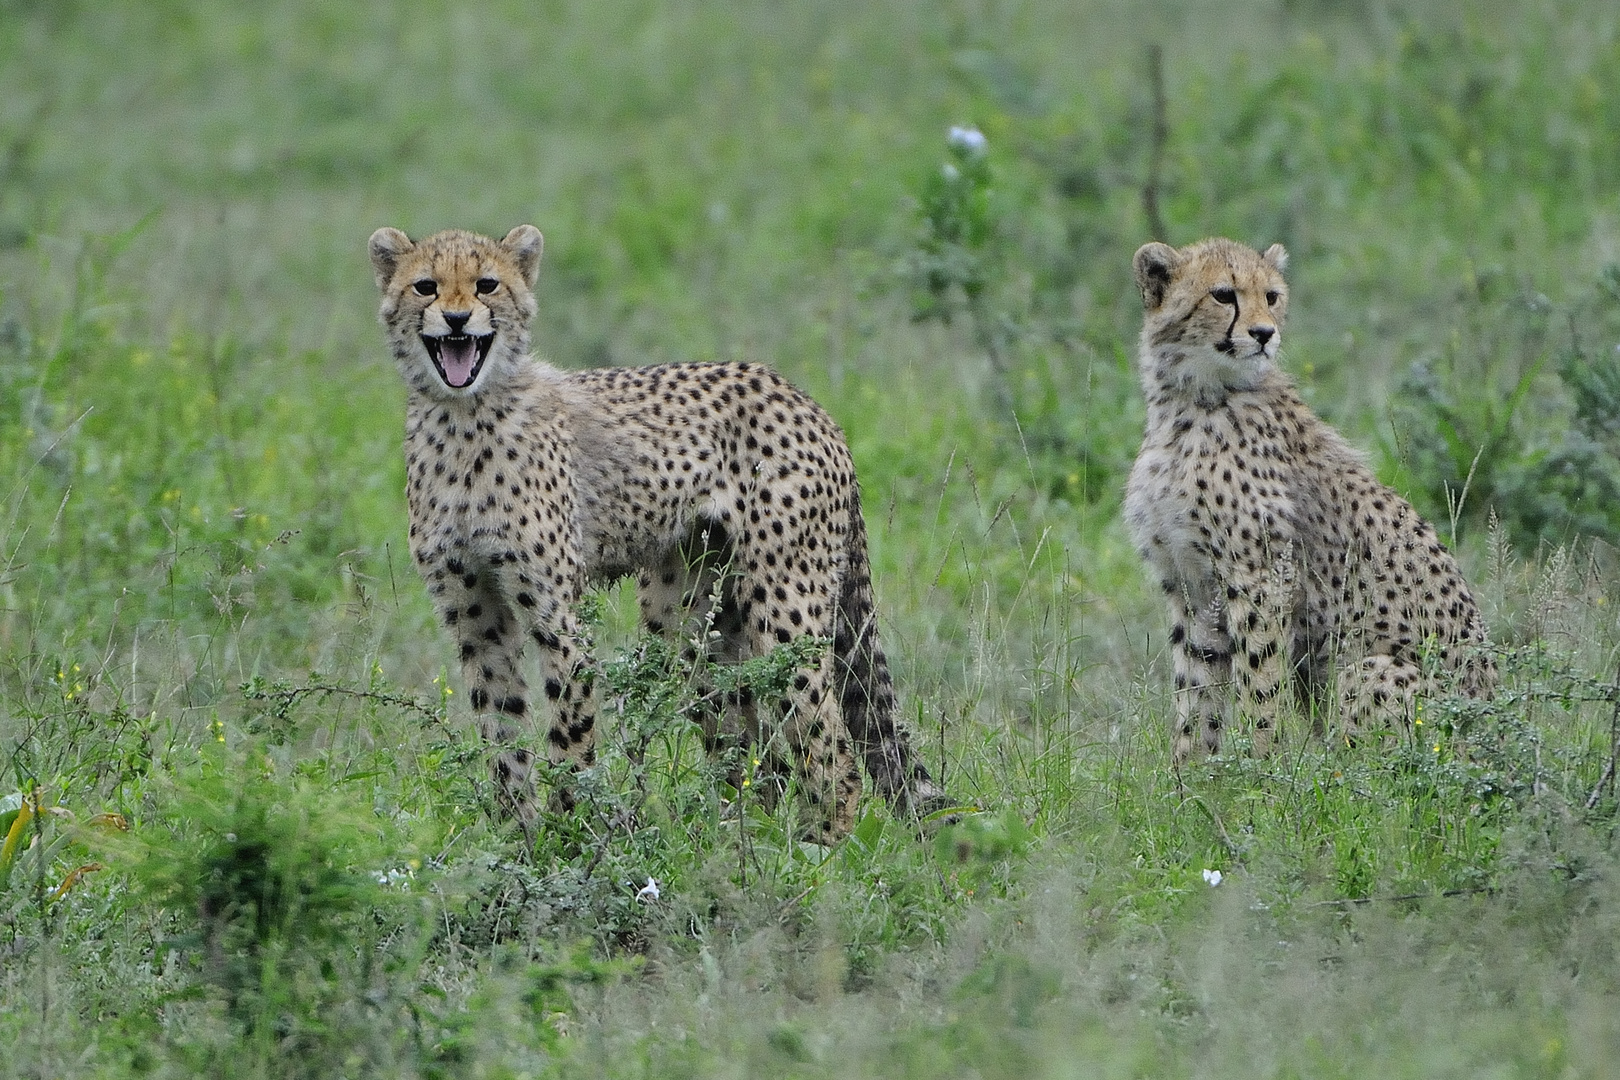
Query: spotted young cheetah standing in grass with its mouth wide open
{"x": 707, "y": 480}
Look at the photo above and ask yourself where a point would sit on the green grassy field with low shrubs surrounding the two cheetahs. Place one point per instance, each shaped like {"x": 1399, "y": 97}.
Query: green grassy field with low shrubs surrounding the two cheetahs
{"x": 210, "y": 632}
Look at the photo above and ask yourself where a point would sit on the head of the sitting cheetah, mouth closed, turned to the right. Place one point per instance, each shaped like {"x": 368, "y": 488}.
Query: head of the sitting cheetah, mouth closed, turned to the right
{"x": 1214, "y": 315}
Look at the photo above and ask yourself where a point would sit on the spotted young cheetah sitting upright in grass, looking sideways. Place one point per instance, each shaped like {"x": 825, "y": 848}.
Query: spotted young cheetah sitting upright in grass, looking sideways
{"x": 1274, "y": 543}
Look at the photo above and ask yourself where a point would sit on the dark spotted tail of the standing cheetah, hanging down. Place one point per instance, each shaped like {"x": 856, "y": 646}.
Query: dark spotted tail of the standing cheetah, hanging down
{"x": 868, "y": 692}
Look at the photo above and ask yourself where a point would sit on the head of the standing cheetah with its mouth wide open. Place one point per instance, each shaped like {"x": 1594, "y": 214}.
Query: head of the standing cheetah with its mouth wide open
{"x": 458, "y": 305}
